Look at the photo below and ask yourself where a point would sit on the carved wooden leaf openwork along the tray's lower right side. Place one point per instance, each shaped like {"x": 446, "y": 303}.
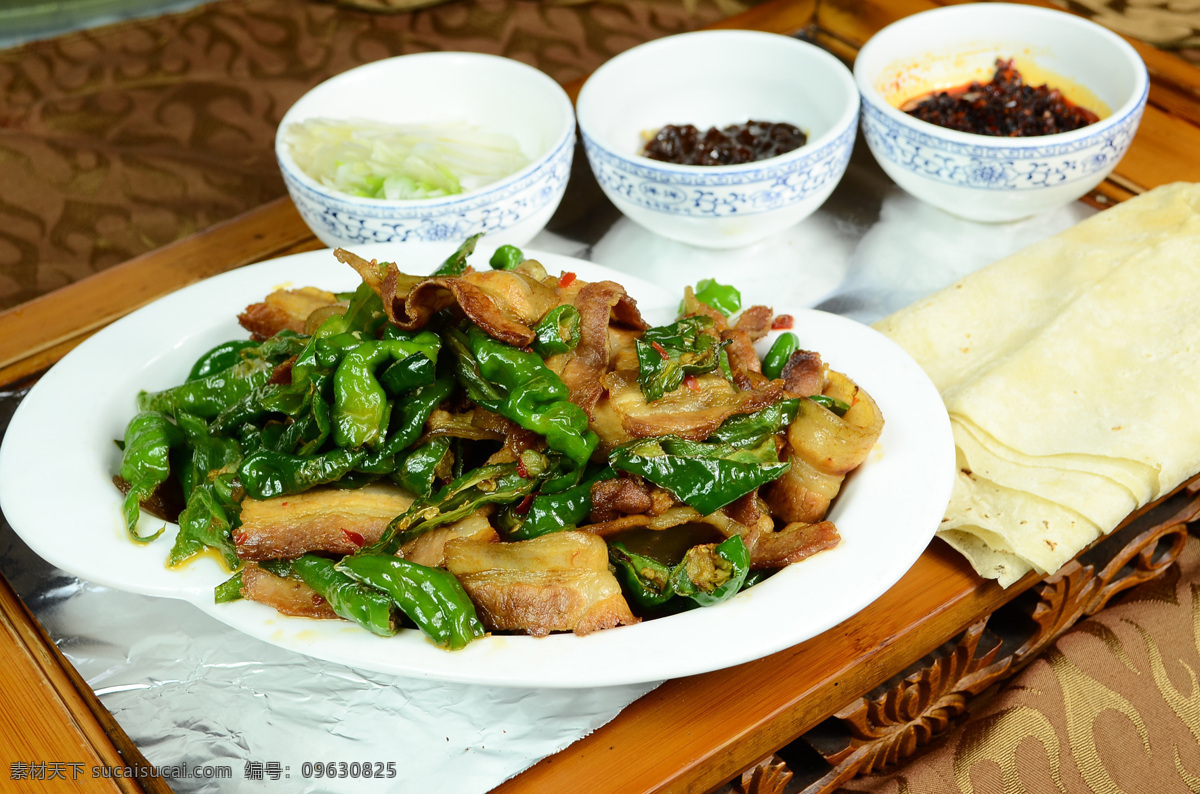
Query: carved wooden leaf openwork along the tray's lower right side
{"x": 885, "y": 730}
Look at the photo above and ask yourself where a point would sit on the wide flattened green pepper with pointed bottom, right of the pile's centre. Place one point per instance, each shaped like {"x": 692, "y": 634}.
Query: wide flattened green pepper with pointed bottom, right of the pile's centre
{"x": 705, "y": 476}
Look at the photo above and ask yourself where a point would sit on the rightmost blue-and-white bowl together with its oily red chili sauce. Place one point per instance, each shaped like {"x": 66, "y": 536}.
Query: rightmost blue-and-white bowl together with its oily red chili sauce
{"x": 997, "y": 112}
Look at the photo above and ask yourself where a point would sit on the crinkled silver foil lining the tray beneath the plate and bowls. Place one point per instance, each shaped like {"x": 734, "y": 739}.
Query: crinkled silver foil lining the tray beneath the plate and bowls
{"x": 191, "y": 691}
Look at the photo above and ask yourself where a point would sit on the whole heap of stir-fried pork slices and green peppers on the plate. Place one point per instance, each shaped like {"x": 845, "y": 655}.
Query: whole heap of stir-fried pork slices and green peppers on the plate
{"x": 496, "y": 450}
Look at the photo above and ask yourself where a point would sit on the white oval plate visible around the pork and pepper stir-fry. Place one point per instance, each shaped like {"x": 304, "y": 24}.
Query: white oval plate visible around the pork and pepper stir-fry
{"x": 59, "y": 459}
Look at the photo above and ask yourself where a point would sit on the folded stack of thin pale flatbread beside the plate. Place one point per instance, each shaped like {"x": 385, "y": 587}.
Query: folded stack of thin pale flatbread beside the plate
{"x": 1071, "y": 372}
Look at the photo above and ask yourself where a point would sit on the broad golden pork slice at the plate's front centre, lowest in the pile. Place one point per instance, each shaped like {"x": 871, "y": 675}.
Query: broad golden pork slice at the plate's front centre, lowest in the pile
{"x": 559, "y": 582}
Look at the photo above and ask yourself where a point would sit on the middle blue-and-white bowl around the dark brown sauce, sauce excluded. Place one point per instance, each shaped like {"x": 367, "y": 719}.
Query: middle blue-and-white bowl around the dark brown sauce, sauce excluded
{"x": 718, "y": 79}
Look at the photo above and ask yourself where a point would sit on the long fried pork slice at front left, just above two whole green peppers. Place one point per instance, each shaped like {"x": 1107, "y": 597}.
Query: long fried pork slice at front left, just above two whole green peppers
{"x": 322, "y": 520}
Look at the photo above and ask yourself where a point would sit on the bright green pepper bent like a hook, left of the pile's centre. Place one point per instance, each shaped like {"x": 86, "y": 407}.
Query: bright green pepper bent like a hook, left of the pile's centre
{"x": 361, "y": 405}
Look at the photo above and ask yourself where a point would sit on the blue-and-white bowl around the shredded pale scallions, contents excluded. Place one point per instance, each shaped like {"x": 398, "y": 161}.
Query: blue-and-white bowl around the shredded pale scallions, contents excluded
{"x": 496, "y": 94}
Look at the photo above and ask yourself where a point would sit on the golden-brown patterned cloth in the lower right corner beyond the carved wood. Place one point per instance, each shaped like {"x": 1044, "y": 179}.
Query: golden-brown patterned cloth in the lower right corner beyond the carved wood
{"x": 1114, "y": 706}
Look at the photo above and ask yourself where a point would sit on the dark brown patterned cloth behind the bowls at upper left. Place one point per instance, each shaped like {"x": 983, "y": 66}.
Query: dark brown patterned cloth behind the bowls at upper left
{"x": 122, "y": 140}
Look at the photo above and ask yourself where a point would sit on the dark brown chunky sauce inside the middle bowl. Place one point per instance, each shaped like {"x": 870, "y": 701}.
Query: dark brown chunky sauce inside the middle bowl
{"x": 737, "y": 143}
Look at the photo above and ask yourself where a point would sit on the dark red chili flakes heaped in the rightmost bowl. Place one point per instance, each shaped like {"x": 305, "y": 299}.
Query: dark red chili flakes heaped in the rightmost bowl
{"x": 1007, "y": 107}
